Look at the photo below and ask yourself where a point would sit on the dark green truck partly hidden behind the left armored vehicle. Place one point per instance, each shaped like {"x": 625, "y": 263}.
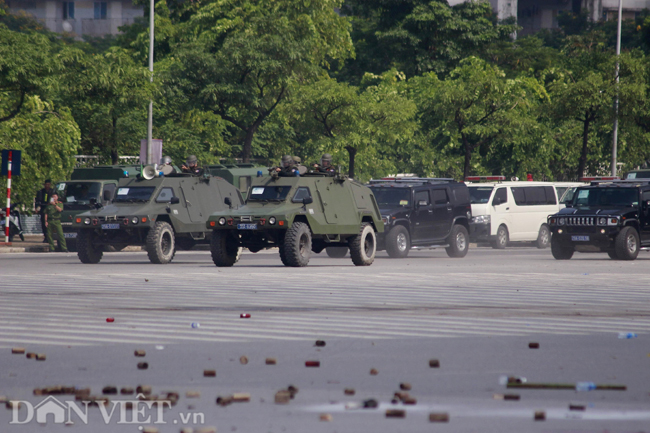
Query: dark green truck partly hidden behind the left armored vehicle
{"x": 87, "y": 187}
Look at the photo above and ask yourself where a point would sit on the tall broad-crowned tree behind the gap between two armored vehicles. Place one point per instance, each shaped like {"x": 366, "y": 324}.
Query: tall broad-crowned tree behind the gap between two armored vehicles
{"x": 241, "y": 66}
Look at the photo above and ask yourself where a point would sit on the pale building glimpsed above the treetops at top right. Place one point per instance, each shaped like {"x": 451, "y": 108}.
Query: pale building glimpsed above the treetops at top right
{"x": 535, "y": 15}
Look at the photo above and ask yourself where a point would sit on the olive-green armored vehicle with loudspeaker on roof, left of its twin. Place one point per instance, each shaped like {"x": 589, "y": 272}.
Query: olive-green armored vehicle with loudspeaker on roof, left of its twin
{"x": 161, "y": 213}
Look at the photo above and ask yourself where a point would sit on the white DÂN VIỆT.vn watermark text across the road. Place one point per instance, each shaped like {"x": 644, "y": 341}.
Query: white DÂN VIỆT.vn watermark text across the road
{"x": 137, "y": 411}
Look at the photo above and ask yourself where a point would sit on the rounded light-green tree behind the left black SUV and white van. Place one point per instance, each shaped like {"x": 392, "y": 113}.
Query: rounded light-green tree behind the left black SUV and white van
{"x": 475, "y": 110}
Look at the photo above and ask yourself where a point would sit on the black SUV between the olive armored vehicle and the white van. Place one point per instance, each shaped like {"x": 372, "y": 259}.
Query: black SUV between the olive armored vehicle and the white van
{"x": 423, "y": 213}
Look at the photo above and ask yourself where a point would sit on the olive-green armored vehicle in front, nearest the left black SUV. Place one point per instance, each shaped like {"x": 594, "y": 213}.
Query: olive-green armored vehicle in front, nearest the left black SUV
{"x": 299, "y": 215}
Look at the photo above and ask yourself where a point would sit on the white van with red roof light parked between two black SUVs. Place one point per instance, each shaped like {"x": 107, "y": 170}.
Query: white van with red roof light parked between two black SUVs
{"x": 504, "y": 212}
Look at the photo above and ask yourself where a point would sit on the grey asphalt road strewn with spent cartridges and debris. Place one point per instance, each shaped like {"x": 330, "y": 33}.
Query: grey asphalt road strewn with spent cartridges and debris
{"x": 476, "y": 316}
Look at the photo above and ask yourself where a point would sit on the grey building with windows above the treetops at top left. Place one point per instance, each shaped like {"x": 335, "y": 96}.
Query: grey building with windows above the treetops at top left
{"x": 81, "y": 18}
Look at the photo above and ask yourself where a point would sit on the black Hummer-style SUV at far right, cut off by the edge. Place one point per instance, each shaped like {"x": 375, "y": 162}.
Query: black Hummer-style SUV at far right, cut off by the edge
{"x": 611, "y": 217}
